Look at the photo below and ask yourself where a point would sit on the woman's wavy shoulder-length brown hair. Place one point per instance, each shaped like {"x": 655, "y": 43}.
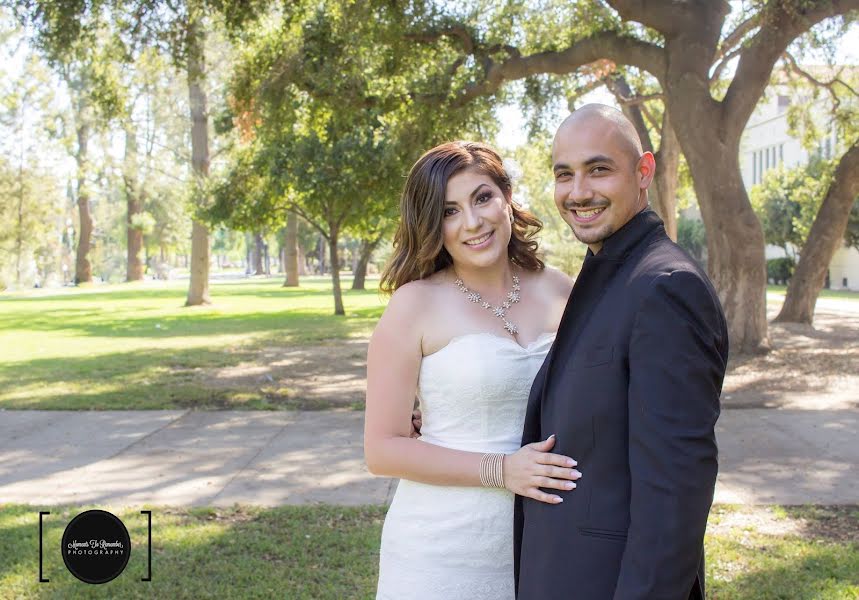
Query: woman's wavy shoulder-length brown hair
{"x": 418, "y": 243}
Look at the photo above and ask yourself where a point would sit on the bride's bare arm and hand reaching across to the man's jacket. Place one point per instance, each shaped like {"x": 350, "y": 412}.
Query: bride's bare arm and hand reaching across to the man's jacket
{"x": 393, "y": 364}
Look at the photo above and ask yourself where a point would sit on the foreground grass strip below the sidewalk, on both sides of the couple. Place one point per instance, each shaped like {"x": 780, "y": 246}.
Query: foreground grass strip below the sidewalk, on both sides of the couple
{"x": 323, "y": 552}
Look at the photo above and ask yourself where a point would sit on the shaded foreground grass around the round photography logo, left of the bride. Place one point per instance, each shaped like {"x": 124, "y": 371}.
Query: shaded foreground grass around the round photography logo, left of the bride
{"x": 241, "y": 552}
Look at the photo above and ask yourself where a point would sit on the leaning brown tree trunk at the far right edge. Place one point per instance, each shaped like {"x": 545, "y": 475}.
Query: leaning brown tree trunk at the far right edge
{"x": 824, "y": 239}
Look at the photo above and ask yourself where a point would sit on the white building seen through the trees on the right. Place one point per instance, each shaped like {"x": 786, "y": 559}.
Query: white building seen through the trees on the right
{"x": 766, "y": 145}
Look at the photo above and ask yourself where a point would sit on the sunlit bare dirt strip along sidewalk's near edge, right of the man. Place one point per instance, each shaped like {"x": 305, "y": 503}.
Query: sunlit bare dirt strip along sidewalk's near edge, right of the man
{"x": 828, "y": 523}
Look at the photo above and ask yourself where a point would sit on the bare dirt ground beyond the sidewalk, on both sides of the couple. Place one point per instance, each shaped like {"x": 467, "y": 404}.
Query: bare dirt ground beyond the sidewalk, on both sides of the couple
{"x": 809, "y": 367}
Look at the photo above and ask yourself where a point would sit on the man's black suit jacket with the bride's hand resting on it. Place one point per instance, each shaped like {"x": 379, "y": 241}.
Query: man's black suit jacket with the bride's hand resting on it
{"x": 631, "y": 389}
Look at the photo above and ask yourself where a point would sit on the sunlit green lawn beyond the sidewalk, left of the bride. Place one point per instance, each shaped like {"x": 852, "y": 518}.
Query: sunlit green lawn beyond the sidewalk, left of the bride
{"x": 136, "y": 346}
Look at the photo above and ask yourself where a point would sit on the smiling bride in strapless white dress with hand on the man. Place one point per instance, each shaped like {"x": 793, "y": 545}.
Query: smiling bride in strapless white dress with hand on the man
{"x": 472, "y": 315}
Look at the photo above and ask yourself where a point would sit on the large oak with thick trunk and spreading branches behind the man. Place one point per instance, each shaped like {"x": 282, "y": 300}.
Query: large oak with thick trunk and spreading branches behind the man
{"x": 684, "y": 44}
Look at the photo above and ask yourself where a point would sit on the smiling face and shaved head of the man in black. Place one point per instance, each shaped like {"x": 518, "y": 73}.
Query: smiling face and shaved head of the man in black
{"x": 601, "y": 175}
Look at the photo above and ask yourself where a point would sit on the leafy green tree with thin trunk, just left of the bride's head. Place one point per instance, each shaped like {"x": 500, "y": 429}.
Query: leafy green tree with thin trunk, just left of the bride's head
{"x": 334, "y": 105}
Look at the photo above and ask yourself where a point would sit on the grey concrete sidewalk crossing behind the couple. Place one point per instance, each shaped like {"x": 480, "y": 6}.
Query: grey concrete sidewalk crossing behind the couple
{"x": 191, "y": 458}
